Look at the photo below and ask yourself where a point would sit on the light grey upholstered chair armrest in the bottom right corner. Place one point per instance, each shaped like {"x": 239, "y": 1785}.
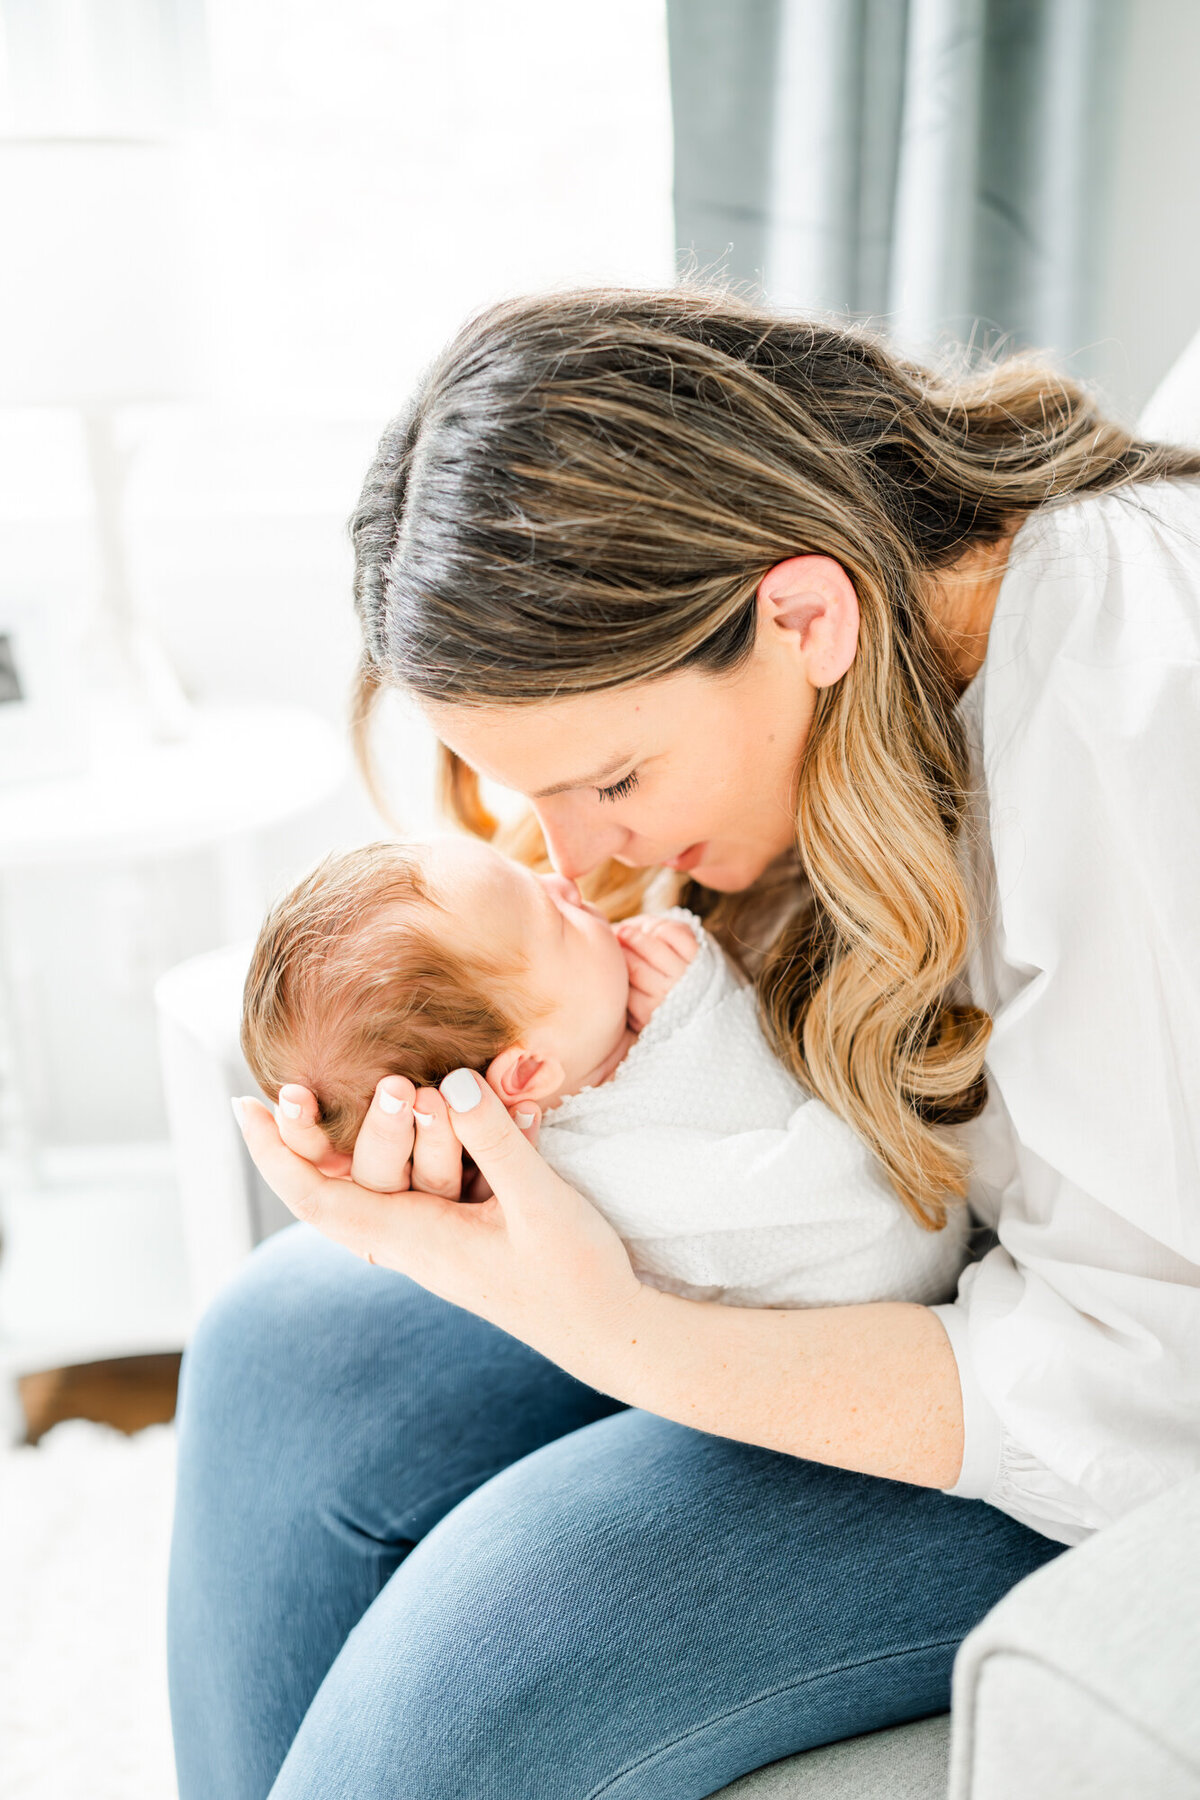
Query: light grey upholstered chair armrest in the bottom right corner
{"x": 1084, "y": 1680}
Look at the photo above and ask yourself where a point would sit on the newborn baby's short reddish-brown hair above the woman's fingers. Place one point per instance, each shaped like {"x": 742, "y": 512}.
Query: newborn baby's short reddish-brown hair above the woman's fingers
{"x": 352, "y": 980}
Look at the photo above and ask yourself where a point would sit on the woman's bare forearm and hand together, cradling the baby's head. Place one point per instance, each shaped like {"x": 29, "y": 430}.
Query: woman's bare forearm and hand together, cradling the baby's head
{"x": 872, "y": 1389}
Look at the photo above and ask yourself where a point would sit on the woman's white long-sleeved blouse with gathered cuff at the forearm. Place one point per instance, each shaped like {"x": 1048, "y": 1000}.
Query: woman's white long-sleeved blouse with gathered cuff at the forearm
{"x": 1079, "y": 1333}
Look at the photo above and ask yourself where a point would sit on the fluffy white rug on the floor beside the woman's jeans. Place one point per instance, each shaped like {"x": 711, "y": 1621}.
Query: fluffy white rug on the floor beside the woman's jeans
{"x": 85, "y": 1522}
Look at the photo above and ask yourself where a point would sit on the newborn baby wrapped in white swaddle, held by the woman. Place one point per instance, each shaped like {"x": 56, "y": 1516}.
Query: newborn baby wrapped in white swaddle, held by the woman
{"x": 663, "y": 1099}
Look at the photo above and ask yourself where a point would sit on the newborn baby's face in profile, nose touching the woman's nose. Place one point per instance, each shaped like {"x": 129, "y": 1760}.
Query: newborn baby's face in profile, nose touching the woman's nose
{"x": 577, "y": 975}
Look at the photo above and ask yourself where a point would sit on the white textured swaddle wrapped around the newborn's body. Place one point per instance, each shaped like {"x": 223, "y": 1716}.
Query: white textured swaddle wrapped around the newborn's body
{"x": 726, "y": 1180}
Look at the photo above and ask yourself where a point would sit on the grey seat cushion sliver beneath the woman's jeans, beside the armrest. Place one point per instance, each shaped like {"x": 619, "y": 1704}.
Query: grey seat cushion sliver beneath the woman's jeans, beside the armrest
{"x": 904, "y": 1763}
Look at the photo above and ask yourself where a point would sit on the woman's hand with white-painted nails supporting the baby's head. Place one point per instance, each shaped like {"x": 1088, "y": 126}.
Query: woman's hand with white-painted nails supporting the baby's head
{"x": 535, "y": 1257}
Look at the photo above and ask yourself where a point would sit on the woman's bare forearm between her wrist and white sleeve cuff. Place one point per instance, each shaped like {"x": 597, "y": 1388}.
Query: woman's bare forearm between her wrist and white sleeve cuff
{"x": 872, "y": 1389}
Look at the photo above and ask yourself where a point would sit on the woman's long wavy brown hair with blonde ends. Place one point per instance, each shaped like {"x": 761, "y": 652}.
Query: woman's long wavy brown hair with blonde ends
{"x": 587, "y": 492}
